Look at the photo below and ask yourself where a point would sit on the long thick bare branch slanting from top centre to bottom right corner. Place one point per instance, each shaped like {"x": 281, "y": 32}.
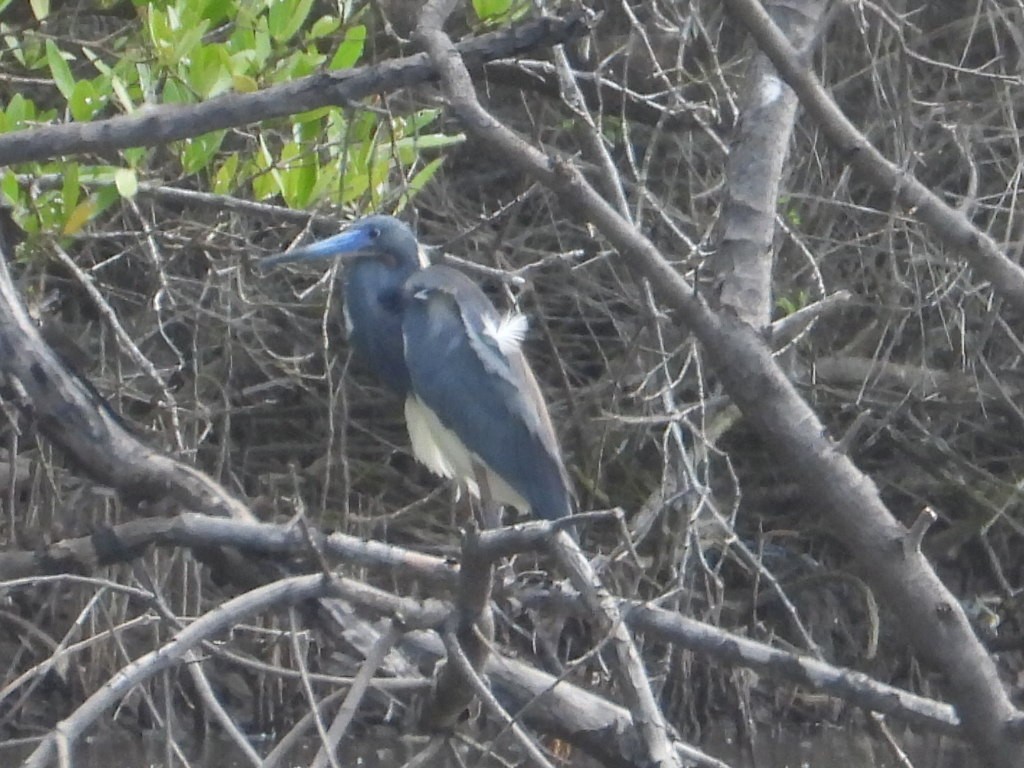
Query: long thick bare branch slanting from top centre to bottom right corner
{"x": 932, "y": 617}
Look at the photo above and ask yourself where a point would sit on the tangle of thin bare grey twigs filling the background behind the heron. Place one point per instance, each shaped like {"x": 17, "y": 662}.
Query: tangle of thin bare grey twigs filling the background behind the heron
{"x": 248, "y": 378}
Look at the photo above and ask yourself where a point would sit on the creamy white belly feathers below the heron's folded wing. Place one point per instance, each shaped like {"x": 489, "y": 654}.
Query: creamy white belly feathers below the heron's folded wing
{"x": 441, "y": 451}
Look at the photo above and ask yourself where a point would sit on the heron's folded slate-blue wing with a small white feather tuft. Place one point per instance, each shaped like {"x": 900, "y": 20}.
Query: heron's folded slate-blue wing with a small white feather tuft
{"x": 481, "y": 388}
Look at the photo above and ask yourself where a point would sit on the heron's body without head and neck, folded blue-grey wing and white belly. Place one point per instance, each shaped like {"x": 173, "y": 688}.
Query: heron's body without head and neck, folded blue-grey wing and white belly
{"x": 476, "y": 411}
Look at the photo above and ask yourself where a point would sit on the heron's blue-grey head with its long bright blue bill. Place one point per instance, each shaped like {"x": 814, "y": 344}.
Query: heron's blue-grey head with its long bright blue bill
{"x": 381, "y": 239}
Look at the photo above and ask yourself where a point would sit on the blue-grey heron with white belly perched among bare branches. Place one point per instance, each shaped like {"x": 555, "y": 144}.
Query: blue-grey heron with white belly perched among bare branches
{"x": 474, "y": 409}
